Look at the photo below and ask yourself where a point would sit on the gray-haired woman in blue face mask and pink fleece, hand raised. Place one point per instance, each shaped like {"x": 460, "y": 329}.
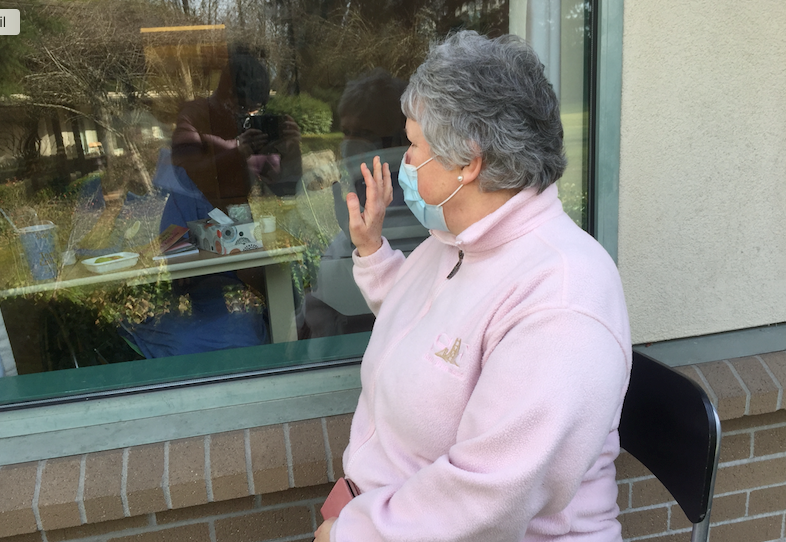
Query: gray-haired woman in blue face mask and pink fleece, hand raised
{"x": 494, "y": 378}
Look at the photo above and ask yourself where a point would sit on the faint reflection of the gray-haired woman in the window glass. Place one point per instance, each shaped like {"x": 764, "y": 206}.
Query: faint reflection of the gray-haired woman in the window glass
{"x": 373, "y": 125}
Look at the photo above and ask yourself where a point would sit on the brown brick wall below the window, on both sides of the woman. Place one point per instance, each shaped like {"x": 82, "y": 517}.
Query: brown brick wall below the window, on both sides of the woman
{"x": 267, "y": 483}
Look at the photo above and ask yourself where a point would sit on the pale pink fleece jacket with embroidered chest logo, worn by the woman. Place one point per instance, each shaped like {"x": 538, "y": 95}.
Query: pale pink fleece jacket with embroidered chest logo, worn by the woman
{"x": 490, "y": 400}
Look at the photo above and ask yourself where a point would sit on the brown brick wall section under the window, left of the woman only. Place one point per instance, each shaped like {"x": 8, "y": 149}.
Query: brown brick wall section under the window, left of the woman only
{"x": 265, "y": 483}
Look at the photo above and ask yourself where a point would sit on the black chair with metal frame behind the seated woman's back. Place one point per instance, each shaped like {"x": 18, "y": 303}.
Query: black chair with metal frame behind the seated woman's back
{"x": 669, "y": 424}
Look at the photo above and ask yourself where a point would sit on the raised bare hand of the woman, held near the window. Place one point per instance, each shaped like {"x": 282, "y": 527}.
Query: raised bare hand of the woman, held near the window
{"x": 365, "y": 228}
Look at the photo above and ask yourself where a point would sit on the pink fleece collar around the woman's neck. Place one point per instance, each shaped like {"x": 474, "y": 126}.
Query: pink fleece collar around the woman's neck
{"x": 518, "y": 216}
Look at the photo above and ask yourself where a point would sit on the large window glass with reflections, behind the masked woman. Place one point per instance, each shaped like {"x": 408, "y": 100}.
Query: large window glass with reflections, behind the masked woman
{"x": 124, "y": 126}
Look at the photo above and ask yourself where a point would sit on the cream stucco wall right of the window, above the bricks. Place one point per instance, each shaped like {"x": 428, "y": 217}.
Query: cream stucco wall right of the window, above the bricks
{"x": 702, "y": 224}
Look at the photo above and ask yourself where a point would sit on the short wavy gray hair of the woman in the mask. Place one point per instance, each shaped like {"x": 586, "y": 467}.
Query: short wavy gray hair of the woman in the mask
{"x": 474, "y": 96}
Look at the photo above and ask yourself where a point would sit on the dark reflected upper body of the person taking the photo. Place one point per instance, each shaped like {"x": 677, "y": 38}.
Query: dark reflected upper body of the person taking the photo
{"x": 226, "y": 147}
